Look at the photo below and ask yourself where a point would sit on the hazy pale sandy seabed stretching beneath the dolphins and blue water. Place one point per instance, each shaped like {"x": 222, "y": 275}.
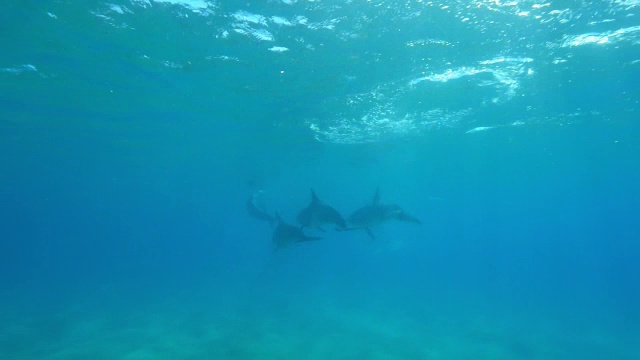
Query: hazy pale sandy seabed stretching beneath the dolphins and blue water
{"x": 304, "y": 326}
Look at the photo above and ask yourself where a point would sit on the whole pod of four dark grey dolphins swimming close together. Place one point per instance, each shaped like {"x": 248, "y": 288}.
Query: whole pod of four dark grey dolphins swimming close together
{"x": 319, "y": 213}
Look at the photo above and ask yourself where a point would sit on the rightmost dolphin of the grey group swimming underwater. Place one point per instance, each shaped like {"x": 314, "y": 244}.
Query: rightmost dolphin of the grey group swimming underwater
{"x": 377, "y": 213}
